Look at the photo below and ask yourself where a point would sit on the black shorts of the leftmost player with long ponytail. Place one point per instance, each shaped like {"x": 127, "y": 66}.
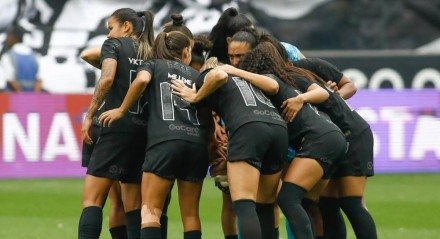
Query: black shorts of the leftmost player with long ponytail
{"x": 119, "y": 156}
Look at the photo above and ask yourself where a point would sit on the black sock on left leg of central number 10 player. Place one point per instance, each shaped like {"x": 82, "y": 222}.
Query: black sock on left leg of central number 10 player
{"x": 248, "y": 223}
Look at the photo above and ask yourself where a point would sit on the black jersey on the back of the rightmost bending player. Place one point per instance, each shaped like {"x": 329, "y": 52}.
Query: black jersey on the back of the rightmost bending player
{"x": 348, "y": 120}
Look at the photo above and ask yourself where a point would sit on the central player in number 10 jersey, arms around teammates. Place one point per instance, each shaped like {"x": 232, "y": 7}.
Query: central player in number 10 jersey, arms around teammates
{"x": 257, "y": 143}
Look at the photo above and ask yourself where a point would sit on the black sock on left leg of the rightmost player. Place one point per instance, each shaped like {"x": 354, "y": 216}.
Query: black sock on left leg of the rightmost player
{"x": 334, "y": 224}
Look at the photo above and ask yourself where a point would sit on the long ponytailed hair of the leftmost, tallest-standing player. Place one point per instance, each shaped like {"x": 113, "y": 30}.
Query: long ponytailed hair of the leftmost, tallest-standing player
{"x": 142, "y": 28}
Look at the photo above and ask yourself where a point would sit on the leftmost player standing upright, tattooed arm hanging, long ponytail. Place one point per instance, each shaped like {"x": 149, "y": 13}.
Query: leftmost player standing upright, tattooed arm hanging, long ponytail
{"x": 119, "y": 150}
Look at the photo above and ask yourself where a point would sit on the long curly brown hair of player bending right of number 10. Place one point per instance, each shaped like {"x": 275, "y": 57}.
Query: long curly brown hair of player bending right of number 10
{"x": 265, "y": 59}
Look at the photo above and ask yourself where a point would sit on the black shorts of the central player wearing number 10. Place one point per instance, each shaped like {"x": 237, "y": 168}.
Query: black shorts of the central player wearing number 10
{"x": 261, "y": 145}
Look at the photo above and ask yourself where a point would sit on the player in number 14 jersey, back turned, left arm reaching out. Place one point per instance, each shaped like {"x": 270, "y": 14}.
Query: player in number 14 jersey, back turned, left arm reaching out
{"x": 177, "y": 130}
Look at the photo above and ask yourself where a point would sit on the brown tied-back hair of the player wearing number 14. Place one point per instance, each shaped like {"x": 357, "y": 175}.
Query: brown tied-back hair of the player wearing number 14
{"x": 170, "y": 45}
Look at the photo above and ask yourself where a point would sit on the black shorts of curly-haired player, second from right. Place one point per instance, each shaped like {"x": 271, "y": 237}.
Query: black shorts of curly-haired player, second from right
{"x": 327, "y": 150}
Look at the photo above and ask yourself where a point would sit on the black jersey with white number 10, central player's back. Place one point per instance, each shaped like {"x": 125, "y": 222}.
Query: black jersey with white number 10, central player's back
{"x": 238, "y": 102}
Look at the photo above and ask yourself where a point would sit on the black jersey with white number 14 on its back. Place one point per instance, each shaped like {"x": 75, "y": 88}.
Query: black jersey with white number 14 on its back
{"x": 169, "y": 116}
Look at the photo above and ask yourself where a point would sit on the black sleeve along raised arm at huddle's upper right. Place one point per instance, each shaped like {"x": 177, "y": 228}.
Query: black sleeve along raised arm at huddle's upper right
{"x": 322, "y": 68}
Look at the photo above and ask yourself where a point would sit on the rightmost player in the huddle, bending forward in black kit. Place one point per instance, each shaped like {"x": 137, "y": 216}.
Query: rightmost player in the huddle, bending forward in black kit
{"x": 347, "y": 186}
